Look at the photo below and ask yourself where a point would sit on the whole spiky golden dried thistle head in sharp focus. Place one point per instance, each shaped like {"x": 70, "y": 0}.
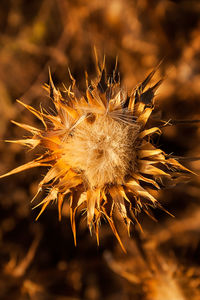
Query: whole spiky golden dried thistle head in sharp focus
{"x": 99, "y": 150}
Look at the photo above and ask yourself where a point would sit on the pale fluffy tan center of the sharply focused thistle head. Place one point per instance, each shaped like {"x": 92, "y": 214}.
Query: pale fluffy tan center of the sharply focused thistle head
{"x": 103, "y": 150}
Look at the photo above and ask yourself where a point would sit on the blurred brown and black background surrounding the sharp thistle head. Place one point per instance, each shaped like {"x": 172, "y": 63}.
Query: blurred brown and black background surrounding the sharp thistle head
{"x": 38, "y": 260}
